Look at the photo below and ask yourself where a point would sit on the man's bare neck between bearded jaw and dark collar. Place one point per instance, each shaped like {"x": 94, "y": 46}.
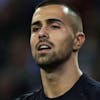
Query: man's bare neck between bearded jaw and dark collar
{"x": 61, "y": 80}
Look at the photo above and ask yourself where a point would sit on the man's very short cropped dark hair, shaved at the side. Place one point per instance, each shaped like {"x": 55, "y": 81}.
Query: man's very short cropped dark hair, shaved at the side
{"x": 76, "y": 23}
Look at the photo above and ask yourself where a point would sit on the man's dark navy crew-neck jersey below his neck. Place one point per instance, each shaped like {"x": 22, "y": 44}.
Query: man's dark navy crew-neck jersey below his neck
{"x": 84, "y": 89}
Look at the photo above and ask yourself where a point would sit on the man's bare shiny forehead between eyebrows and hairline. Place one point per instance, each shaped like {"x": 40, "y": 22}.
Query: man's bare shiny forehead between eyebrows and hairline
{"x": 49, "y": 12}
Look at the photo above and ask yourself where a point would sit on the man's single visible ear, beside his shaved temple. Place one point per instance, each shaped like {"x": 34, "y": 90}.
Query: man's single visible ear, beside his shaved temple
{"x": 78, "y": 41}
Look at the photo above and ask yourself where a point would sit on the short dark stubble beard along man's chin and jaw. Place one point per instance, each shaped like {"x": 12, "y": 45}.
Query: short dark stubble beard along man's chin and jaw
{"x": 52, "y": 61}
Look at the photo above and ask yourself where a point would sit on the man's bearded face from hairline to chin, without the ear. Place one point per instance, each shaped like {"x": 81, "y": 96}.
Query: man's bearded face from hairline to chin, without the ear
{"x": 51, "y": 36}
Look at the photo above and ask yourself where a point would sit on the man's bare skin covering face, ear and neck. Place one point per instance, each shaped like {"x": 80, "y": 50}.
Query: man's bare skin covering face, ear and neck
{"x": 51, "y": 26}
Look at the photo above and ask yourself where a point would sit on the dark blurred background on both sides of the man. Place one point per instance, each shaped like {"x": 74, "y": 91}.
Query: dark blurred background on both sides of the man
{"x": 18, "y": 72}
